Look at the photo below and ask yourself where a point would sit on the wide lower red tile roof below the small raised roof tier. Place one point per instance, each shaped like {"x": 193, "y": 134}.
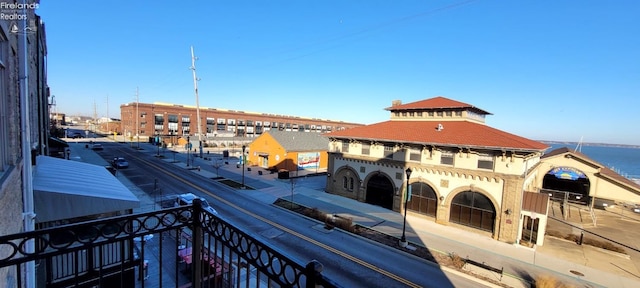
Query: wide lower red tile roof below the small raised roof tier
{"x": 455, "y": 133}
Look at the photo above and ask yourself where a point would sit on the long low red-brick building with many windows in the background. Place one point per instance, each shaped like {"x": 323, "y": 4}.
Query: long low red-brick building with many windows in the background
{"x": 181, "y": 120}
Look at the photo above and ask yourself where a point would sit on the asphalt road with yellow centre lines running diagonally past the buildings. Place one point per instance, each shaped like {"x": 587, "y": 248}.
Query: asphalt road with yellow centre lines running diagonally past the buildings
{"x": 349, "y": 260}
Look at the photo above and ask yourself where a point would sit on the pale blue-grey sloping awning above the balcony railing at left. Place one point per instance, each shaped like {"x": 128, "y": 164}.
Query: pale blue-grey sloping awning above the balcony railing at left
{"x": 64, "y": 189}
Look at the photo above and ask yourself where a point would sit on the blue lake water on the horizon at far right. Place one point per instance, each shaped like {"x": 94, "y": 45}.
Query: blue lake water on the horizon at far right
{"x": 625, "y": 161}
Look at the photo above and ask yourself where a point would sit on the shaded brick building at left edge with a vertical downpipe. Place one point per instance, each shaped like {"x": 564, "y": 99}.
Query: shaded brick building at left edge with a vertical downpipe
{"x": 24, "y": 126}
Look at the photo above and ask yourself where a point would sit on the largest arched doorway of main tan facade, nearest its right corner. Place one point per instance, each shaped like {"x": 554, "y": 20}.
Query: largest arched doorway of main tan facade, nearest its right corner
{"x": 474, "y": 210}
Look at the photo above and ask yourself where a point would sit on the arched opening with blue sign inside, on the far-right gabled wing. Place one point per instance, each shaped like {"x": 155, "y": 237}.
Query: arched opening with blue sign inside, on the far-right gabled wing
{"x": 566, "y": 183}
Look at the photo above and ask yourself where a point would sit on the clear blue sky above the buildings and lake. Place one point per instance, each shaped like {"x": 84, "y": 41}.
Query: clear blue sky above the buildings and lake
{"x": 547, "y": 70}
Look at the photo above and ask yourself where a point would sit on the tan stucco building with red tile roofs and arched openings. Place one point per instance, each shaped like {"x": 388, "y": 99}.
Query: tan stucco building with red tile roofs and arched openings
{"x": 463, "y": 172}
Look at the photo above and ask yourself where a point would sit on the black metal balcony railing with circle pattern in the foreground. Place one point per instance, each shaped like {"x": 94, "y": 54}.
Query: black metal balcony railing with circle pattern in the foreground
{"x": 154, "y": 249}
